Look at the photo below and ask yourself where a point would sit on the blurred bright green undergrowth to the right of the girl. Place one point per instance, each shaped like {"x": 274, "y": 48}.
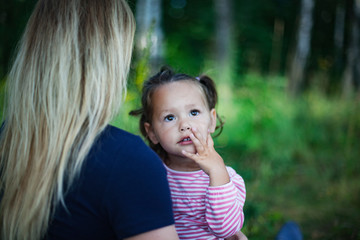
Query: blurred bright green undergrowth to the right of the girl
{"x": 299, "y": 159}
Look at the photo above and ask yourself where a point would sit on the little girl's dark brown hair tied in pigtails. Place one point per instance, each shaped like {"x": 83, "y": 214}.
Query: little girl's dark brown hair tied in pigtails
{"x": 167, "y": 75}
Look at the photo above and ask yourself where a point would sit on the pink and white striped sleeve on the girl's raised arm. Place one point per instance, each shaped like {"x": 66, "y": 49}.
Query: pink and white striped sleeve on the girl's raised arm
{"x": 224, "y": 206}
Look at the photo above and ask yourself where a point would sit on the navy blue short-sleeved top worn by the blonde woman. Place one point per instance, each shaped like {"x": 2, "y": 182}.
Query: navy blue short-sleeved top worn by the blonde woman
{"x": 122, "y": 191}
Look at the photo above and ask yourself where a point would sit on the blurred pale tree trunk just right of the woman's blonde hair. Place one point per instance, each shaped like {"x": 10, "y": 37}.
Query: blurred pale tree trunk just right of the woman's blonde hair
{"x": 149, "y": 36}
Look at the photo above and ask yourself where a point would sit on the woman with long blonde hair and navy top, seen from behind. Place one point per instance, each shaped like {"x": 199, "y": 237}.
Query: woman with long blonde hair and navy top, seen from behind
{"x": 65, "y": 173}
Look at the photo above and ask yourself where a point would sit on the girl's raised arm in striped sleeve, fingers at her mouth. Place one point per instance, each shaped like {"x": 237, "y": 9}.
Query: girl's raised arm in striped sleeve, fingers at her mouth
{"x": 225, "y": 199}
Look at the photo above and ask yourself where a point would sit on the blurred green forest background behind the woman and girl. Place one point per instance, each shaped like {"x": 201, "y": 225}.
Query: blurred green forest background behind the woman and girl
{"x": 288, "y": 75}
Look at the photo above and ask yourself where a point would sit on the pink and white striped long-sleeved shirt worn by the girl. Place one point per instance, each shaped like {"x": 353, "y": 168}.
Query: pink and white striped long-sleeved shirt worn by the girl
{"x": 206, "y": 212}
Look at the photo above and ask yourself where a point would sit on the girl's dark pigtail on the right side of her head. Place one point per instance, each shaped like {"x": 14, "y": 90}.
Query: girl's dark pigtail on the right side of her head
{"x": 209, "y": 88}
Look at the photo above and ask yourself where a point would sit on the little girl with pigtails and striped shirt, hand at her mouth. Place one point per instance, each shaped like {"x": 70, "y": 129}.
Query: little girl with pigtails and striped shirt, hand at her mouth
{"x": 177, "y": 117}
